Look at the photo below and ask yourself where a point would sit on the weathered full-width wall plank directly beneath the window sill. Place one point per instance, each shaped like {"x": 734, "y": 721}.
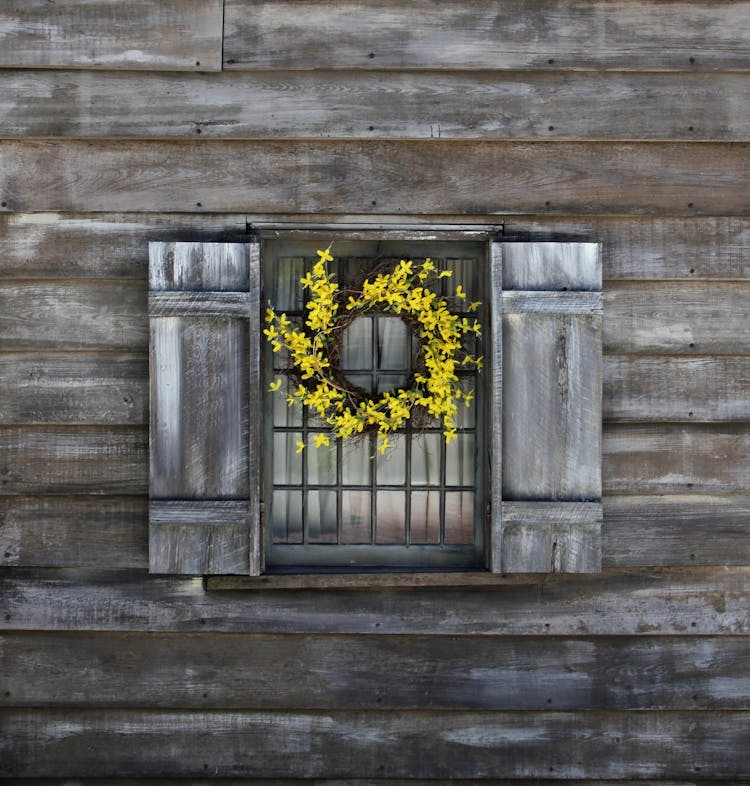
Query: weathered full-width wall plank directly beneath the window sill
{"x": 621, "y": 602}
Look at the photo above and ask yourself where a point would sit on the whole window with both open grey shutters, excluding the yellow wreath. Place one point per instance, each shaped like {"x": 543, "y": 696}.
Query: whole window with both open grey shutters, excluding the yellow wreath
{"x": 519, "y": 492}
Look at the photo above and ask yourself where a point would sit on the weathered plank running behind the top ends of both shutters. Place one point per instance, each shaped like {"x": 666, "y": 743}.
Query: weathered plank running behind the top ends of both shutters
{"x": 56, "y": 245}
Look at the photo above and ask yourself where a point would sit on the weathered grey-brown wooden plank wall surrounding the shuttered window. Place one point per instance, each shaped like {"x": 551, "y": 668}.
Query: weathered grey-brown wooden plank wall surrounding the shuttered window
{"x": 626, "y": 122}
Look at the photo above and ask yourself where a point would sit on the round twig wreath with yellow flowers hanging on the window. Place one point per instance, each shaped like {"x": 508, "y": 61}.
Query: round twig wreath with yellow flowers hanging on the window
{"x": 433, "y": 390}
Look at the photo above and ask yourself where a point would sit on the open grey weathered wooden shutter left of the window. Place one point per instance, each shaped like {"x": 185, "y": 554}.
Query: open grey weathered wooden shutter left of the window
{"x": 204, "y": 308}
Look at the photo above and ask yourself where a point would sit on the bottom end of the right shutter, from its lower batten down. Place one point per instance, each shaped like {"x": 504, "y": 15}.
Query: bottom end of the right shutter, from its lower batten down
{"x": 552, "y": 537}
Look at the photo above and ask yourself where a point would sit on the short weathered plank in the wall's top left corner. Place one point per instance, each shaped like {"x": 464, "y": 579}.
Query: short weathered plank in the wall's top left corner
{"x": 152, "y": 34}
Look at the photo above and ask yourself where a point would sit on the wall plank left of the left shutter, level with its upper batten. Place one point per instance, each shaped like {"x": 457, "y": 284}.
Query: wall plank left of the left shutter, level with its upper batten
{"x": 74, "y": 315}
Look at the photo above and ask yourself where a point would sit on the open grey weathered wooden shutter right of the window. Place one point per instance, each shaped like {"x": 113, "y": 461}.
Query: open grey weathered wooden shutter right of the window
{"x": 547, "y": 416}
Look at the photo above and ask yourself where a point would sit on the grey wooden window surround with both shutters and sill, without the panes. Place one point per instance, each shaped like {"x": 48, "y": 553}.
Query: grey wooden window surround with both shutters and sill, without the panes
{"x": 544, "y": 507}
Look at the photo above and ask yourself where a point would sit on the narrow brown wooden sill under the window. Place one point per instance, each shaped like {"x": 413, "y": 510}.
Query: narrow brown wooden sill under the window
{"x": 349, "y": 581}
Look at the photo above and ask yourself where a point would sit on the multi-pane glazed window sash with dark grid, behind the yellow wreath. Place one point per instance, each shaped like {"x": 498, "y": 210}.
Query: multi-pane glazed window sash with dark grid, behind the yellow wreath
{"x": 418, "y": 506}
